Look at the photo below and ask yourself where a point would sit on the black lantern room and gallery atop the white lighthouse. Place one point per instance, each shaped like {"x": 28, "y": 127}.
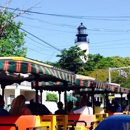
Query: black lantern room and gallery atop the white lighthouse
{"x": 81, "y": 36}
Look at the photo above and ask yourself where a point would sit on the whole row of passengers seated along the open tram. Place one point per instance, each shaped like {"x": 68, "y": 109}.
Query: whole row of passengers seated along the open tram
{"x": 81, "y": 107}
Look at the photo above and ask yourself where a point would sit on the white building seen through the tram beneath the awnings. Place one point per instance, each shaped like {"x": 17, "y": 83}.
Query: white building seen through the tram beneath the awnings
{"x": 12, "y": 91}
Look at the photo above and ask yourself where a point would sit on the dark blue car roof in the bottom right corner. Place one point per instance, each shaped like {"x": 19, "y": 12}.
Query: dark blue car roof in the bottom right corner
{"x": 115, "y": 122}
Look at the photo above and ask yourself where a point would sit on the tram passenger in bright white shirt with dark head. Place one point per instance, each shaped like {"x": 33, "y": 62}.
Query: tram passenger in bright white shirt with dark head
{"x": 85, "y": 110}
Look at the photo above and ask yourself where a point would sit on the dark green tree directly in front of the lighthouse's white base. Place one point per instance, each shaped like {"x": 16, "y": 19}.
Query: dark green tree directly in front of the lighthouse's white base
{"x": 70, "y": 59}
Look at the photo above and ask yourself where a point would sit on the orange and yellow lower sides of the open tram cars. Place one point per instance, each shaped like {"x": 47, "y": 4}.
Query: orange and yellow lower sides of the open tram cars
{"x": 53, "y": 122}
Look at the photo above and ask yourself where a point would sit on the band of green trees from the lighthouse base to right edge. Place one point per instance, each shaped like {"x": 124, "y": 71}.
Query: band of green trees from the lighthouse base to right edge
{"x": 96, "y": 66}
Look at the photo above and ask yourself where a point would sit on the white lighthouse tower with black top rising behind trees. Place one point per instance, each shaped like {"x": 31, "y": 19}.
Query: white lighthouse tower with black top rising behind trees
{"x": 82, "y": 41}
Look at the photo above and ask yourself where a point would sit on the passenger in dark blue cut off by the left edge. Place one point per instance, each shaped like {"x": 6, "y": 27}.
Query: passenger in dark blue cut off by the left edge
{"x": 3, "y": 112}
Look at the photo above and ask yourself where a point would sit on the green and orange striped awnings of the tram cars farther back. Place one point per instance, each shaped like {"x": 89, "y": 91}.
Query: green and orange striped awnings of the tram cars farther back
{"x": 81, "y": 86}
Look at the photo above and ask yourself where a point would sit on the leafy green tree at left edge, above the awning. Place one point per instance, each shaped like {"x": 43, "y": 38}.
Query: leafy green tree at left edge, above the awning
{"x": 11, "y": 39}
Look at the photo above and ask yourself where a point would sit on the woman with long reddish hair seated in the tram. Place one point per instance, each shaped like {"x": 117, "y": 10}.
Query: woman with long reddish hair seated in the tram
{"x": 18, "y": 107}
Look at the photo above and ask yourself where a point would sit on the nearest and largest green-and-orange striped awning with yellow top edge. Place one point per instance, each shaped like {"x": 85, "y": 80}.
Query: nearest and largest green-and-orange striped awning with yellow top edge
{"x": 17, "y": 69}
